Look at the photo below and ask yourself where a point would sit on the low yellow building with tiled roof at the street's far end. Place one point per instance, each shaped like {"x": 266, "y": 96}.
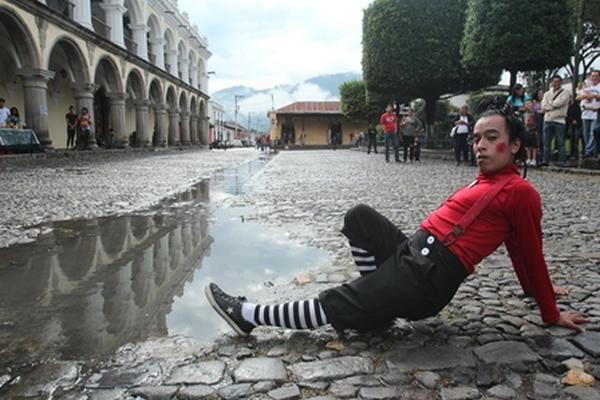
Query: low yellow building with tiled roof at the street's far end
{"x": 310, "y": 124}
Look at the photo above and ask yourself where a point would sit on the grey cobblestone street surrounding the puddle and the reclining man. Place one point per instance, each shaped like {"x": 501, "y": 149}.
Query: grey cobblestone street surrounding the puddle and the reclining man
{"x": 489, "y": 343}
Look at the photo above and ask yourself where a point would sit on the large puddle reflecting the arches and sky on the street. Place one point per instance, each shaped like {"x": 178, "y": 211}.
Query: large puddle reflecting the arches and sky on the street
{"x": 88, "y": 287}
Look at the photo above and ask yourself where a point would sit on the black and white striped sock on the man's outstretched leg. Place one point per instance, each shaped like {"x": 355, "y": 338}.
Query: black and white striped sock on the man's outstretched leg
{"x": 307, "y": 314}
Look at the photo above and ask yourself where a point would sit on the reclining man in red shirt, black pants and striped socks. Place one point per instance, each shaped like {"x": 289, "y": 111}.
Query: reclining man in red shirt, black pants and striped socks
{"x": 415, "y": 278}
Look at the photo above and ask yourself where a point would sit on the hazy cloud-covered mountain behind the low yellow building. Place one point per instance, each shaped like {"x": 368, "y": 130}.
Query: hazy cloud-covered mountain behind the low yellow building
{"x": 257, "y": 103}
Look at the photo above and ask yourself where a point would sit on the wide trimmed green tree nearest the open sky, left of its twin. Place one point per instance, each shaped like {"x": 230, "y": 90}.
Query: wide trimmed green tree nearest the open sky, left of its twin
{"x": 411, "y": 49}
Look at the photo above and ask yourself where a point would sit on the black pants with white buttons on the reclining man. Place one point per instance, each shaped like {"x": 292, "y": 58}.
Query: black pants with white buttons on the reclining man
{"x": 415, "y": 278}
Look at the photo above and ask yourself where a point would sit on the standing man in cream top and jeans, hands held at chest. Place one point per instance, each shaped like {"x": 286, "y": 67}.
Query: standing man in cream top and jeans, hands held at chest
{"x": 555, "y": 105}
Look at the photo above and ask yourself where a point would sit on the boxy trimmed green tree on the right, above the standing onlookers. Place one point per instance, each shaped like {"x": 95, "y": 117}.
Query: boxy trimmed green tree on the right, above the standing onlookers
{"x": 518, "y": 35}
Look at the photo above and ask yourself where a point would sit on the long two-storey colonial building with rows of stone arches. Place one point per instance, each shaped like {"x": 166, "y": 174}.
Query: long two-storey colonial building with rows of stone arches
{"x": 137, "y": 65}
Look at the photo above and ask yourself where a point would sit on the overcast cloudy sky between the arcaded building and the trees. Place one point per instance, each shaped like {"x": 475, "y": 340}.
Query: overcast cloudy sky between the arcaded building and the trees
{"x": 263, "y": 43}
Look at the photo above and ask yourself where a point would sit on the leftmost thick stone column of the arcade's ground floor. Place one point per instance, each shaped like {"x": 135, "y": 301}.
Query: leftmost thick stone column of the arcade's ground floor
{"x": 35, "y": 88}
